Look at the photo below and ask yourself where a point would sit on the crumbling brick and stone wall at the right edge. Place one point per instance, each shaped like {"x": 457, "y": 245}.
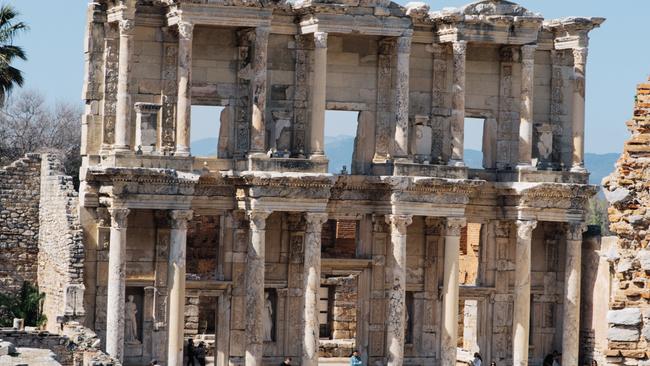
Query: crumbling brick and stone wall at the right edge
{"x": 627, "y": 191}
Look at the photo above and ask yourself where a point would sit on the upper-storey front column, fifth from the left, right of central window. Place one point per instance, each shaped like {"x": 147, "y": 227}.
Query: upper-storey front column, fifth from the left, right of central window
{"x": 402, "y": 97}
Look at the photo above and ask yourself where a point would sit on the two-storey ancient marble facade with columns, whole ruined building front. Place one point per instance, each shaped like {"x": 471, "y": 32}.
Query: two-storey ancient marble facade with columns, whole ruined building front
{"x": 261, "y": 253}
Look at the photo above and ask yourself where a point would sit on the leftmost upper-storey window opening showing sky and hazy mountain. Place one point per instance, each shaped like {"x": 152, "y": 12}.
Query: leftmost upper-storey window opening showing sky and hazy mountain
{"x": 204, "y": 130}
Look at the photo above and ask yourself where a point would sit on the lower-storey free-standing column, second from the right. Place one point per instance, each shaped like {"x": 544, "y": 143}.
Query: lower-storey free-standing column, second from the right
{"x": 521, "y": 316}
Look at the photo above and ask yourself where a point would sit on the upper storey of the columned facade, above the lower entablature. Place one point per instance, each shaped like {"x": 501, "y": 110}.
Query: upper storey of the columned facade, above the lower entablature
{"x": 413, "y": 77}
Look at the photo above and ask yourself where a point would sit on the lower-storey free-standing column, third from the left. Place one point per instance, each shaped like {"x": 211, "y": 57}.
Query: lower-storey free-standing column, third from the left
{"x": 255, "y": 288}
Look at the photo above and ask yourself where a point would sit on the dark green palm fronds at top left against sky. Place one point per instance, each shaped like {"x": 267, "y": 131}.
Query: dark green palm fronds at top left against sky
{"x": 9, "y": 28}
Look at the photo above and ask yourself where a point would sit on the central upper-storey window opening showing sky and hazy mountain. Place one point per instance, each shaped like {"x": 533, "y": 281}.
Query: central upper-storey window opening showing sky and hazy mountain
{"x": 340, "y": 133}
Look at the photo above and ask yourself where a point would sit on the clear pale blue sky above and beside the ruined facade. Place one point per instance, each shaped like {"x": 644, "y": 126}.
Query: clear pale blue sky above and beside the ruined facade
{"x": 618, "y": 56}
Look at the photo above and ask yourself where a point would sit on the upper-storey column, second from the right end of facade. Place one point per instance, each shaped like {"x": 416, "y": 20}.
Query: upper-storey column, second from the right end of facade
{"x": 527, "y": 101}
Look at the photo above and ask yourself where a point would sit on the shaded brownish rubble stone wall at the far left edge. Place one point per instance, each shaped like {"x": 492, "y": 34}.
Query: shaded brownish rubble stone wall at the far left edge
{"x": 19, "y": 222}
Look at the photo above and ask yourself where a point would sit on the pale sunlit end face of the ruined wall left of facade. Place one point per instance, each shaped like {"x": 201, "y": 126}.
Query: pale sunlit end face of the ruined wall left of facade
{"x": 61, "y": 252}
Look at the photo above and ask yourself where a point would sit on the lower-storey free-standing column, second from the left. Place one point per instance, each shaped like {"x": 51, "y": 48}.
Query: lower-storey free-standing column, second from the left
{"x": 176, "y": 285}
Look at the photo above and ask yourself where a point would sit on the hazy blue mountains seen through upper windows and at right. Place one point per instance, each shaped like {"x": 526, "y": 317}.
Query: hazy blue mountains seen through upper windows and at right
{"x": 339, "y": 150}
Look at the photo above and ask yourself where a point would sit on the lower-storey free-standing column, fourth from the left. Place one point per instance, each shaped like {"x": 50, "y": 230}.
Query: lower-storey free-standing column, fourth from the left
{"x": 311, "y": 275}
